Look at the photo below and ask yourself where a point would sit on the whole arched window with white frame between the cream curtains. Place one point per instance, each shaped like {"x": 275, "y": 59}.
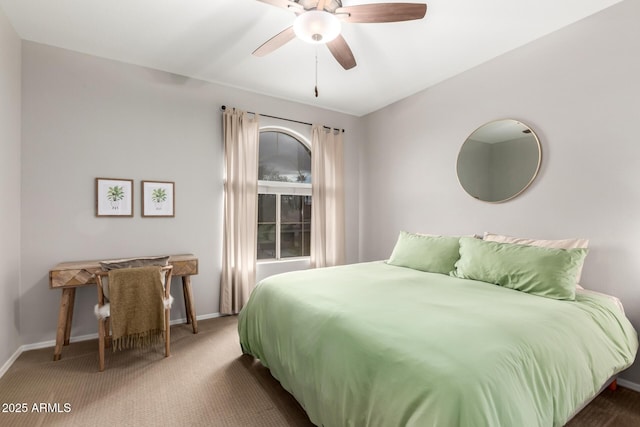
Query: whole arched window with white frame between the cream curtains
{"x": 284, "y": 195}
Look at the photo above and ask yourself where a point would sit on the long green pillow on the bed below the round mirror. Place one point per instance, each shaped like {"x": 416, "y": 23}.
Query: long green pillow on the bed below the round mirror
{"x": 540, "y": 271}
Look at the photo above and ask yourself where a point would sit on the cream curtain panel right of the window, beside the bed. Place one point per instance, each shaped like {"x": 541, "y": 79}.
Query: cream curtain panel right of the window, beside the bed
{"x": 327, "y": 204}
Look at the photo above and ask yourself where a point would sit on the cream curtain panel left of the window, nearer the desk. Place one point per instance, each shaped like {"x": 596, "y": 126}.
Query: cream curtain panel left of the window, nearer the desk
{"x": 241, "y": 136}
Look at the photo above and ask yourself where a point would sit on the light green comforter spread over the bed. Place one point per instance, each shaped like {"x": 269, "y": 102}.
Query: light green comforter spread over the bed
{"x": 377, "y": 345}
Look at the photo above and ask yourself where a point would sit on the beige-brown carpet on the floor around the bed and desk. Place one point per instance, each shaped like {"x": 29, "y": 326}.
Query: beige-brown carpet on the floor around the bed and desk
{"x": 206, "y": 382}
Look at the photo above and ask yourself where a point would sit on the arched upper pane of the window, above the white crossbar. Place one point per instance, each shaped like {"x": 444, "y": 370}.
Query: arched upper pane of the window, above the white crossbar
{"x": 283, "y": 158}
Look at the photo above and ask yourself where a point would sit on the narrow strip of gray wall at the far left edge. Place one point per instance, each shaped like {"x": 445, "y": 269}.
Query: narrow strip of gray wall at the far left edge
{"x": 10, "y": 112}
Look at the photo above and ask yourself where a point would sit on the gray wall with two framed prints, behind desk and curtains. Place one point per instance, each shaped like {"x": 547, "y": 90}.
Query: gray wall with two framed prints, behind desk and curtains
{"x": 86, "y": 117}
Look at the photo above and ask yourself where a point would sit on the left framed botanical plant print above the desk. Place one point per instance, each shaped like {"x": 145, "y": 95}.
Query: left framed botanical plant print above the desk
{"x": 114, "y": 197}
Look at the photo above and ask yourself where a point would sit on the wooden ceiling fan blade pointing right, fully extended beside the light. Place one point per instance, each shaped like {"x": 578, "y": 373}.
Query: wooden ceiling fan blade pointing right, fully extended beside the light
{"x": 382, "y": 12}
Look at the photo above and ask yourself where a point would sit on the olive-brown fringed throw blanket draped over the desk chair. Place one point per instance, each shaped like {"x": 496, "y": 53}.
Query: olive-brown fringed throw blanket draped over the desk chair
{"x": 137, "y": 307}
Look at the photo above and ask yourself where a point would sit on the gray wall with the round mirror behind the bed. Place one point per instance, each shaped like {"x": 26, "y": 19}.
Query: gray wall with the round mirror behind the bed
{"x": 578, "y": 88}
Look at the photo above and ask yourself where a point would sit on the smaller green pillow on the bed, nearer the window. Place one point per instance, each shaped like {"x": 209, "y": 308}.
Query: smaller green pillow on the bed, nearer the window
{"x": 435, "y": 254}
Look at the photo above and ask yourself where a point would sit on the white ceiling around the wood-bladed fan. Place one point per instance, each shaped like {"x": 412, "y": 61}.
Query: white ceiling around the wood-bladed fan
{"x": 212, "y": 40}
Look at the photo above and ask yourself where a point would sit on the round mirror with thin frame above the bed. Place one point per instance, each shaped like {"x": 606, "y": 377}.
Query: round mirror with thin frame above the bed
{"x": 499, "y": 160}
